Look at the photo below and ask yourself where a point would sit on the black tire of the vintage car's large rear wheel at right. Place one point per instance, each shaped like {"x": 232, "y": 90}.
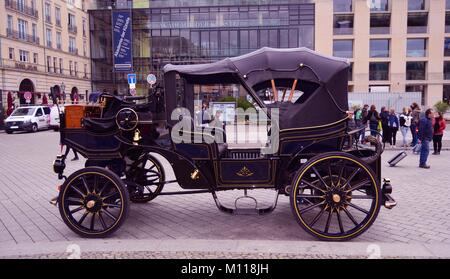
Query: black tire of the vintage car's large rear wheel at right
{"x": 375, "y": 206}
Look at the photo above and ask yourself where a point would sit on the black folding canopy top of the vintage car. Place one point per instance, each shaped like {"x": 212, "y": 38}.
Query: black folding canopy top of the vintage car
{"x": 323, "y": 80}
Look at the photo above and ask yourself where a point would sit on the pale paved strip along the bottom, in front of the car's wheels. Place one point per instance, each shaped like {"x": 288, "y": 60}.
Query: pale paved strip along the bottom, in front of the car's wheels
{"x": 300, "y": 248}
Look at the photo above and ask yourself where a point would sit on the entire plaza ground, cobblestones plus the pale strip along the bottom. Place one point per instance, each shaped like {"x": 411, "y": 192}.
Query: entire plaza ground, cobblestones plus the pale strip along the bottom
{"x": 191, "y": 226}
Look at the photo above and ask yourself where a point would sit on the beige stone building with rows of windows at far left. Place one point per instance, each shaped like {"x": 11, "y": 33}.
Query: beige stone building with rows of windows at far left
{"x": 43, "y": 44}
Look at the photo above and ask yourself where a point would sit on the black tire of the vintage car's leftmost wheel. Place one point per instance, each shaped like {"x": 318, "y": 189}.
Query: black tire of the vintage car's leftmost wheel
{"x": 114, "y": 180}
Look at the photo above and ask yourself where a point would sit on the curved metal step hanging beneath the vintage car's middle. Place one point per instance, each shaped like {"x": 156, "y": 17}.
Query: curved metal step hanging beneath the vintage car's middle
{"x": 245, "y": 210}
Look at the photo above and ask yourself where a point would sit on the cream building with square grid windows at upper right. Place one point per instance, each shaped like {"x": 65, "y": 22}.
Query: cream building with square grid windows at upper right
{"x": 393, "y": 45}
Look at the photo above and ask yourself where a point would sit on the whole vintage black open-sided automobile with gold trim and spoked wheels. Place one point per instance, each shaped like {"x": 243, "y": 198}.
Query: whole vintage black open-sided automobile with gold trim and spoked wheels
{"x": 334, "y": 184}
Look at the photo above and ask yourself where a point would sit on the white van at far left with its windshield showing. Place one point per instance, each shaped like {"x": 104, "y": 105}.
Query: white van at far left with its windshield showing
{"x": 31, "y": 119}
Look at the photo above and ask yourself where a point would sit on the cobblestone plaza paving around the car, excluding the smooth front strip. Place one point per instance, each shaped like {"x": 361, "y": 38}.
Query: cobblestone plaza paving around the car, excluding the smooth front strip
{"x": 27, "y": 183}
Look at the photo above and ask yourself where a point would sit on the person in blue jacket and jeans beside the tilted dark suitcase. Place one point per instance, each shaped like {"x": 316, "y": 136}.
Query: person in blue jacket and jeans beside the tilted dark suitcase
{"x": 425, "y": 136}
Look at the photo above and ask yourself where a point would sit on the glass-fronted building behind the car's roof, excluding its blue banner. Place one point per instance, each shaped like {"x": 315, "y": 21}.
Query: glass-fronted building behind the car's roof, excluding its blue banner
{"x": 185, "y": 32}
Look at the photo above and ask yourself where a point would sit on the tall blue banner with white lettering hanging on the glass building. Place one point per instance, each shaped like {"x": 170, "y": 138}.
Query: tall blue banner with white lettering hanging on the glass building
{"x": 122, "y": 41}
